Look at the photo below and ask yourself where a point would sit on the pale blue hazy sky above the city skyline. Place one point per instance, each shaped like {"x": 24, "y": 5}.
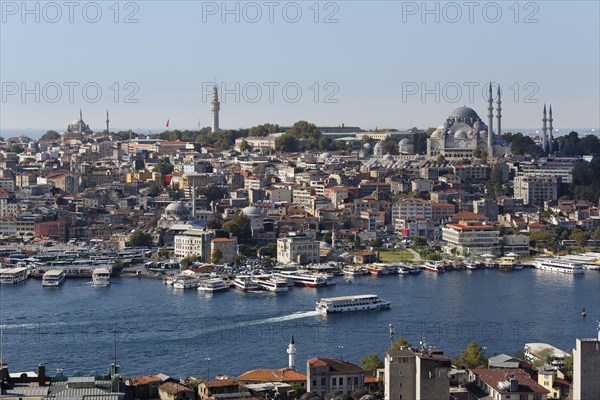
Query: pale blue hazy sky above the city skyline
{"x": 372, "y": 64}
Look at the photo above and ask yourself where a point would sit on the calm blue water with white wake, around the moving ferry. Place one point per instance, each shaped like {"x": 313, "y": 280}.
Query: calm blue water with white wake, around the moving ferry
{"x": 163, "y": 330}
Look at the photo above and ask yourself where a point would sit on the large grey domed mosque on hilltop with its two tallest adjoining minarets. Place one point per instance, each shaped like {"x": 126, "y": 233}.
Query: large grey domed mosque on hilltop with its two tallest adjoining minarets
{"x": 464, "y": 134}
